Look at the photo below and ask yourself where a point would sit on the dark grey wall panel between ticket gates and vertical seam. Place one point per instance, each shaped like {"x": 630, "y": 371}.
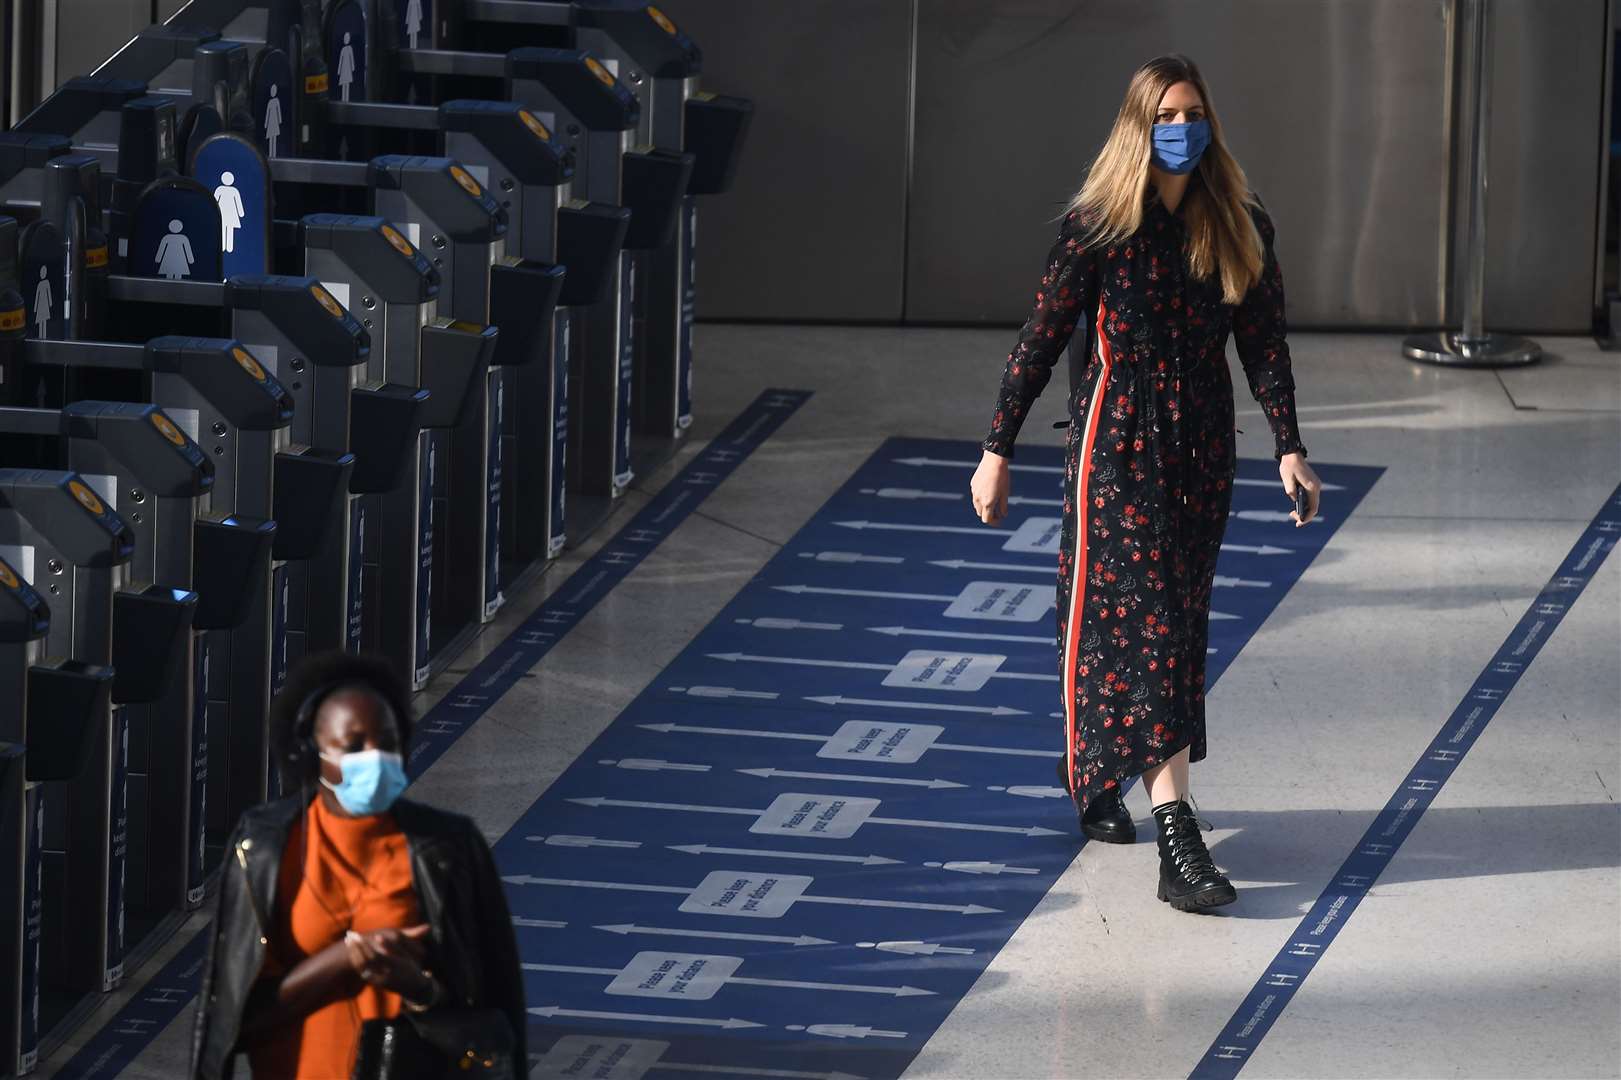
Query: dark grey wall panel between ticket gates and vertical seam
{"x": 815, "y": 228}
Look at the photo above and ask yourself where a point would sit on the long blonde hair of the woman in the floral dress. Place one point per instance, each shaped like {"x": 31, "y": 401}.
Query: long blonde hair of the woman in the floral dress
{"x": 1217, "y": 212}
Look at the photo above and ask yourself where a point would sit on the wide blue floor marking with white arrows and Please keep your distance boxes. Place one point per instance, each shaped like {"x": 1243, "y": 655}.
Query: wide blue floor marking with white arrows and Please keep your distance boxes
{"x": 805, "y": 842}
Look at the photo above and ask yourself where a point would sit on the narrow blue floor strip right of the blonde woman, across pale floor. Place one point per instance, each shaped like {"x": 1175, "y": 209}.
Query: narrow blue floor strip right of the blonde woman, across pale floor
{"x": 1379, "y": 846}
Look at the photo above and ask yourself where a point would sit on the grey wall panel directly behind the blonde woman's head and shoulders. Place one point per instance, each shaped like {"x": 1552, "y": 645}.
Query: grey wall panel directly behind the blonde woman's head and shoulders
{"x": 1335, "y": 108}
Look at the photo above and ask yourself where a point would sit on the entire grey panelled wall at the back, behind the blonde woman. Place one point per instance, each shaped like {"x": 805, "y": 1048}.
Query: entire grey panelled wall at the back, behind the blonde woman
{"x": 909, "y": 156}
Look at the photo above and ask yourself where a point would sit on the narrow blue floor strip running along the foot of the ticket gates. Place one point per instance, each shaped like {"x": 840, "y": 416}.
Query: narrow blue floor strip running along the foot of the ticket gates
{"x": 168, "y": 993}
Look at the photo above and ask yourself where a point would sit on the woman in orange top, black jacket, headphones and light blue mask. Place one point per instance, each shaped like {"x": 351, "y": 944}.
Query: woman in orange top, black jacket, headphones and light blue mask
{"x": 346, "y": 904}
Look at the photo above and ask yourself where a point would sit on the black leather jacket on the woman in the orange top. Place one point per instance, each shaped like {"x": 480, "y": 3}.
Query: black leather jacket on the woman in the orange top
{"x": 473, "y": 948}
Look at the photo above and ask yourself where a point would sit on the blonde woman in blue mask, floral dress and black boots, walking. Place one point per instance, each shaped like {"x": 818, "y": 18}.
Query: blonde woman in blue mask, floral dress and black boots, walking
{"x": 1161, "y": 254}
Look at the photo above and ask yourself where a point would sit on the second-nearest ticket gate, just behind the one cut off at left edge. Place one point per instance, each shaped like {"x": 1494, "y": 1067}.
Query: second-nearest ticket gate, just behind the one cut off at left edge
{"x": 74, "y": 549}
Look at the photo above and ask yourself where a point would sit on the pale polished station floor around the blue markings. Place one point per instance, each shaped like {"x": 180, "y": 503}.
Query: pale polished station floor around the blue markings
{"x": 1491, "y": 948}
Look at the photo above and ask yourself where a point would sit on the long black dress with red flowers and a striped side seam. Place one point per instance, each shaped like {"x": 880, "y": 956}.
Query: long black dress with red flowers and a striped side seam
{"x": 1152, "y": 418}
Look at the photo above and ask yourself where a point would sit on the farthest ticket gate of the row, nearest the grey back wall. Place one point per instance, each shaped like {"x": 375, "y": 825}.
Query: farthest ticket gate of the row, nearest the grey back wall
{"x": 644, "y": 51}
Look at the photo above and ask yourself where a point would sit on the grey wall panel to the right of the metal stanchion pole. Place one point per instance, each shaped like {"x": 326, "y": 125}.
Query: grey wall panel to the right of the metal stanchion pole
{"x": 1546, "y": 145}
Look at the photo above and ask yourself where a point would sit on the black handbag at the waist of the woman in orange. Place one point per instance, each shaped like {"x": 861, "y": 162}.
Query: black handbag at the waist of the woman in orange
{"x": 435, "y": 1045}
